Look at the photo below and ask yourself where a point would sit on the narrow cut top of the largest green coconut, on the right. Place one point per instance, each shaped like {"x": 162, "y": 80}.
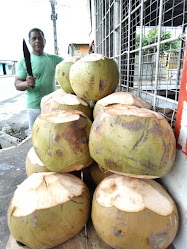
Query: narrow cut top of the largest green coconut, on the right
{"x": 127, "y": 110}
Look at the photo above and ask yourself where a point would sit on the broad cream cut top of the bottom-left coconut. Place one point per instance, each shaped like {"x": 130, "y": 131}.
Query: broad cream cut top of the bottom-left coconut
{"x": 45, "y": 190}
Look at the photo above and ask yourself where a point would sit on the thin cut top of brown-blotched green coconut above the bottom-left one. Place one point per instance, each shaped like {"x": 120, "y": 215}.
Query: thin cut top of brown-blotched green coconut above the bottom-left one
{"x": 62, "y": 116}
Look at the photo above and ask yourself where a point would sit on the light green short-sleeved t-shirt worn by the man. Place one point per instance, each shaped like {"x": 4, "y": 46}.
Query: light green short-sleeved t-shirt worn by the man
{"x": 43, "y": 68}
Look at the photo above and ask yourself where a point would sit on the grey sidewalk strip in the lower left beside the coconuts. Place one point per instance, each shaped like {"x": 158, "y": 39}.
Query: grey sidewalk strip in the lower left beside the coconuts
{"x": 12, "y": 173}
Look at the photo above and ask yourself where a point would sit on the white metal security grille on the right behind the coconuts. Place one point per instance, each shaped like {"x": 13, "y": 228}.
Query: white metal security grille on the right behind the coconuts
{"x": 146, "y": 39}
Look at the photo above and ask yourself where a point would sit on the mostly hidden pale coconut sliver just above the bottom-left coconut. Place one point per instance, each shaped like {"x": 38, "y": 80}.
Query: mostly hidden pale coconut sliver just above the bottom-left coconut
{"x": 33, "y": 164}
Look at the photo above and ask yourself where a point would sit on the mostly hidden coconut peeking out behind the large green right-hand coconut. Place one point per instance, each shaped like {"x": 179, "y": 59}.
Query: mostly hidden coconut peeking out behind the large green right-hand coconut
{"x": 125, "y": 98}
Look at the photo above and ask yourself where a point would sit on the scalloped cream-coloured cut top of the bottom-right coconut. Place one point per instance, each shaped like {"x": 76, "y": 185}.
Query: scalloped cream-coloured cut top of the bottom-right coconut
{"x": 134, "y": 195}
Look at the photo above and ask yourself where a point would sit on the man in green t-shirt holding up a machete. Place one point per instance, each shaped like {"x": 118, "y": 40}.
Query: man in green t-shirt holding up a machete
{"x": 43, "y": 81}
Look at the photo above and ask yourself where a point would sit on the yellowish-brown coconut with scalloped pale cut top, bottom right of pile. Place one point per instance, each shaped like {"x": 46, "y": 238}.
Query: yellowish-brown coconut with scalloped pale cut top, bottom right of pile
{"x": 134, "y": 213}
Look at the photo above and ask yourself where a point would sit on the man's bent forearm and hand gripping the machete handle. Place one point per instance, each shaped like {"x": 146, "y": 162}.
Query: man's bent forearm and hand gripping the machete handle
{"x": 22, "y": 84}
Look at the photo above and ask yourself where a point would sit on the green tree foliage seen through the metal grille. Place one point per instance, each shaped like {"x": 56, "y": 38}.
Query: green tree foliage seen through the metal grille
{"x": 152, "y": 37}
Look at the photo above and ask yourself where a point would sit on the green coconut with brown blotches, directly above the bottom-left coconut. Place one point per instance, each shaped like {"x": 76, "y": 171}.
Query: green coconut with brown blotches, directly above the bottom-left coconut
{"x": 60, "y": 140}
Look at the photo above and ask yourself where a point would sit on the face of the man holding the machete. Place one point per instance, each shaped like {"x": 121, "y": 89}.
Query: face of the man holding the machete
{"x": 37, "y": 42}
